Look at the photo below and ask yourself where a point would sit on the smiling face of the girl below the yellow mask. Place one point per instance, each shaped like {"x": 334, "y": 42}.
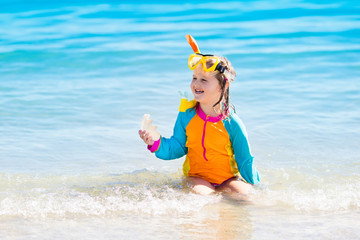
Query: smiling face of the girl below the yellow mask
{"x": 205, "y": 87}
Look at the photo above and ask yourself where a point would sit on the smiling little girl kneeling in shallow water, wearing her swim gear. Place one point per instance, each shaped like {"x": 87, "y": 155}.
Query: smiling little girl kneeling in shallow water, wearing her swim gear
{"x": 208, "y": 132}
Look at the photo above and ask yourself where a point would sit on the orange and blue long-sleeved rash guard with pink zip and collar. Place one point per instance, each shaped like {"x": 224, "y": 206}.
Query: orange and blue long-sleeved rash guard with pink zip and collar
{"x": 216, "y": 148}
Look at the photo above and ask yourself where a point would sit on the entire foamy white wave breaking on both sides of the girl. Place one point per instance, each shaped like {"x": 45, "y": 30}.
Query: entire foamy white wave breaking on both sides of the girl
{"x": 152, "y": 193}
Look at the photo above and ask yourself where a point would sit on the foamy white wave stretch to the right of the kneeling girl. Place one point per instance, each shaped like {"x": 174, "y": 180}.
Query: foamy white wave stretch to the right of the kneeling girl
{"x": 315, "y": 191}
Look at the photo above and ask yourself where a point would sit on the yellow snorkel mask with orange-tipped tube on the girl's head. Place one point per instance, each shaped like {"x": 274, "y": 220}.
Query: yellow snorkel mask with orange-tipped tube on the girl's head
{"x": 208, "y": 61}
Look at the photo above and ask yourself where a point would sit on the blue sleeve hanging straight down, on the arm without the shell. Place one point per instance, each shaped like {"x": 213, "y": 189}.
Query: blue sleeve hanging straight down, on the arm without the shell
{"x": 243, "y": 156}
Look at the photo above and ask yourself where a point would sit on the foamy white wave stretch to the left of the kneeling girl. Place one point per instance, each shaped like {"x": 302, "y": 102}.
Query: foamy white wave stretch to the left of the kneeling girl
{"x": 100, "y": 196}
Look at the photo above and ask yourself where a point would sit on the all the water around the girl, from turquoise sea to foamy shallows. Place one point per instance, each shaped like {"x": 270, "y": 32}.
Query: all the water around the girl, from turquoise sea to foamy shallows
{"x": 76, "y": 78}
